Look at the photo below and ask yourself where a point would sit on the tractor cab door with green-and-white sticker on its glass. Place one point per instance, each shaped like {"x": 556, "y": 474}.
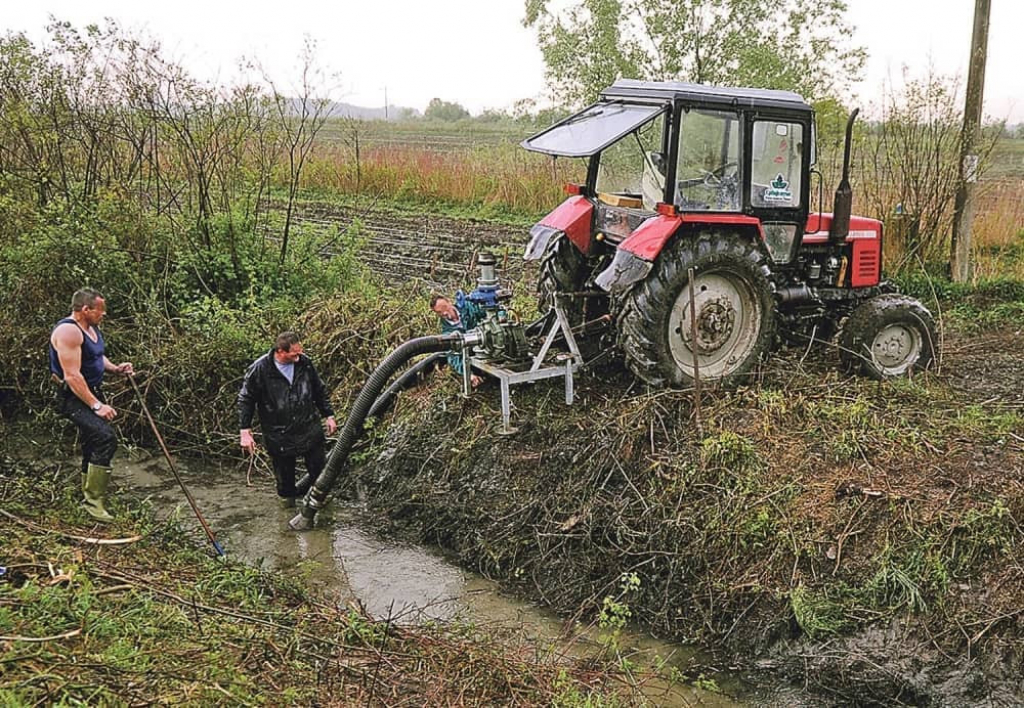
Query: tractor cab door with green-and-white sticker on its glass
{"x": 777, "y": 189}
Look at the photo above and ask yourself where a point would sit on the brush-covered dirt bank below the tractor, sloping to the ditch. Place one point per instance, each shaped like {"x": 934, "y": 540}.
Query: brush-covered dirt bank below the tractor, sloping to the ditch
{"x": 862, "y": 539}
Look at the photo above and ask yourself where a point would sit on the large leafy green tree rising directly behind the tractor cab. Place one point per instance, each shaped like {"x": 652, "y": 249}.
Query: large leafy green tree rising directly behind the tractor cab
{"x": 790, "y": 45}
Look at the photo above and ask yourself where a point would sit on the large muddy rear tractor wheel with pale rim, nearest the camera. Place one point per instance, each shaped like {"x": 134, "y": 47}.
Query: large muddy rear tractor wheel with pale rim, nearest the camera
{"x": 736, "y": 317}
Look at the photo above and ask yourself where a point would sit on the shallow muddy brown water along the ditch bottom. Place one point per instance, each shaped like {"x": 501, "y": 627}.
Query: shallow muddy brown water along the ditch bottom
{"x": 350, "y": 562}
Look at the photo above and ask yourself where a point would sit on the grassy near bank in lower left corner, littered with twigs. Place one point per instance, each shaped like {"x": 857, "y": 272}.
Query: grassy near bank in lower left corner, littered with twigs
{"x": 158, "y": 620}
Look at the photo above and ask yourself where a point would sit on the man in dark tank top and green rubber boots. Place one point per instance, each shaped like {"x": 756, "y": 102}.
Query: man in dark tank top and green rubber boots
{"x": 78, "y": 360}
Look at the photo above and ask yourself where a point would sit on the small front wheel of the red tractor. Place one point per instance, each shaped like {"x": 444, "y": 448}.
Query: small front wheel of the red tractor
{"x": 888, "y": 337}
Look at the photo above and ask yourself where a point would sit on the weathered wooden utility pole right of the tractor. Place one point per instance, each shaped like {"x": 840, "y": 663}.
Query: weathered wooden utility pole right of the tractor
{"x": 960, "y": 247}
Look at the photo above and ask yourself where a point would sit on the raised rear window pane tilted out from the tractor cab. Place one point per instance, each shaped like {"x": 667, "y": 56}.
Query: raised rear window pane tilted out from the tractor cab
{"x": 592, "y": 130}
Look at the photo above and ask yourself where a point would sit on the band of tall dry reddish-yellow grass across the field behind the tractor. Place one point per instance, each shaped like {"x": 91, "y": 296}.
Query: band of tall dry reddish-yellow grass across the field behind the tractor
{"x": 506, "y": 179}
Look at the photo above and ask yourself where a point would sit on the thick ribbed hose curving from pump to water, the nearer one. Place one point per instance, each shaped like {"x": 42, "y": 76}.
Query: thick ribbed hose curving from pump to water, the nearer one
{"x": 353, "y": 429}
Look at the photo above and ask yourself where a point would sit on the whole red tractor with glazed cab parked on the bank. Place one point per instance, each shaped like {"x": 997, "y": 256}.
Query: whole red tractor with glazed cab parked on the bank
{"x": 716, "y": 181}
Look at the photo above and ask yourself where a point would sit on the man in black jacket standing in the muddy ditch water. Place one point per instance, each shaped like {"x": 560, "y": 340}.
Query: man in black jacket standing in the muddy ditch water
{"x": 286, "y": 390}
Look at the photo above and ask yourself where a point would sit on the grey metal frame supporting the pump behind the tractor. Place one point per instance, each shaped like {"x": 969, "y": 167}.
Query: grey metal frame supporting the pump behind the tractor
{"x": 539, "y": 369}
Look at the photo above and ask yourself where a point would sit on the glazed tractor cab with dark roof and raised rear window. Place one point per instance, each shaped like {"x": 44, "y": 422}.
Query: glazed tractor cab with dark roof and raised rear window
{"x": 702, "y": 150}
